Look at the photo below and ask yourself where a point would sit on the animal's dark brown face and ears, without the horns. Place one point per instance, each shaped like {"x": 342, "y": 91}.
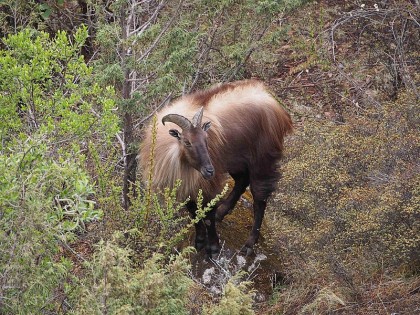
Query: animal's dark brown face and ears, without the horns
{"x": 194, "y": 145}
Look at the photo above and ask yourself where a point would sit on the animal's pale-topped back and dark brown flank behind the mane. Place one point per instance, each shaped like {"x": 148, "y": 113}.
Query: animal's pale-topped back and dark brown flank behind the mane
{"x": 251, "y": 120}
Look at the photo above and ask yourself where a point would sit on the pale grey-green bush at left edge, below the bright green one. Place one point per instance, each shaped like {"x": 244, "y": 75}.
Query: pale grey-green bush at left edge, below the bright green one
{"x": 42, "y": 202}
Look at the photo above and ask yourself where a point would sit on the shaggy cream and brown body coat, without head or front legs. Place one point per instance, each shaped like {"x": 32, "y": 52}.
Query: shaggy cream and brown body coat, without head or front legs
{"x": 245, "y": 140}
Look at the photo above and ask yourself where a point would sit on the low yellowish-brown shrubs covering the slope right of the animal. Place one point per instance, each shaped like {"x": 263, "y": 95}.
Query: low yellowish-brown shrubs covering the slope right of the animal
{"x": 352, "y": 191}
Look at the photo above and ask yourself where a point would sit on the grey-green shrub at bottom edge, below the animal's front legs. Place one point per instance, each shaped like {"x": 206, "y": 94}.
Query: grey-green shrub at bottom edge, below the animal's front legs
{"x": 114, "y": 285}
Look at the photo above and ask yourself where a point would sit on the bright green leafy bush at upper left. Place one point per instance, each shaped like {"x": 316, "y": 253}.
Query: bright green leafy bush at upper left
{"x": 47, "y": 89}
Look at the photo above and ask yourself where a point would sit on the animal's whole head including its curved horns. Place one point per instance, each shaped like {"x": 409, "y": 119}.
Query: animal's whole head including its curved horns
{"x": 193, "y": 140}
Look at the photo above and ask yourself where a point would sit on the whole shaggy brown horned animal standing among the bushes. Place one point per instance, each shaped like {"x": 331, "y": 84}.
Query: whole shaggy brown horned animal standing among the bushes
{"x": 242, "y": 134}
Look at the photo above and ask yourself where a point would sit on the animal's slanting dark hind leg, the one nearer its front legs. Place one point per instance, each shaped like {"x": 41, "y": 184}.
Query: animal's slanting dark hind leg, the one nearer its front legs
{"x": 227, "y": 205}
